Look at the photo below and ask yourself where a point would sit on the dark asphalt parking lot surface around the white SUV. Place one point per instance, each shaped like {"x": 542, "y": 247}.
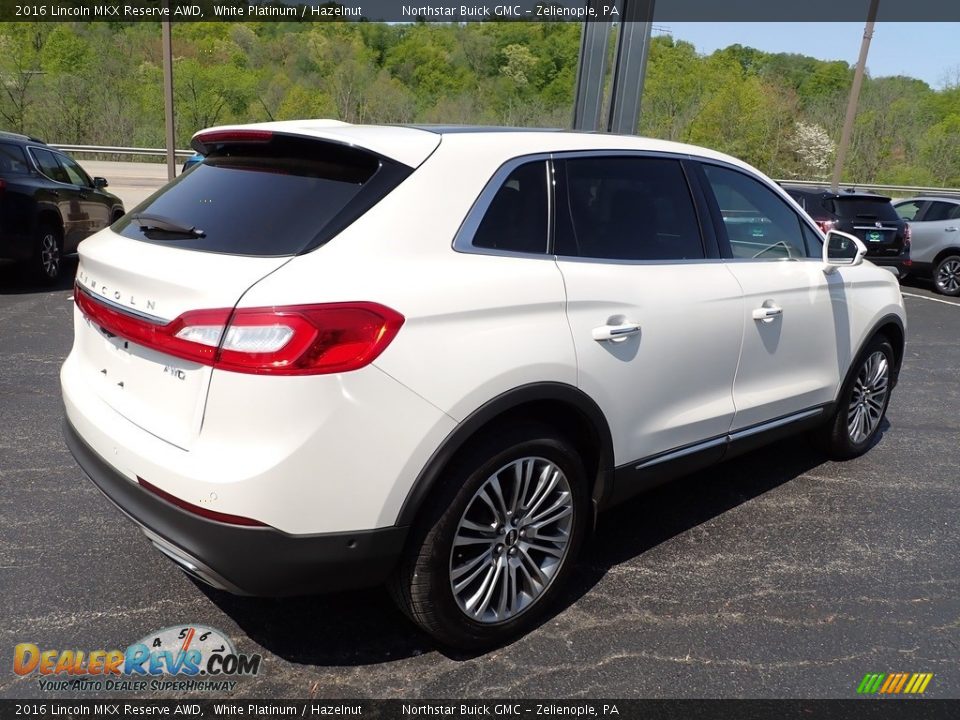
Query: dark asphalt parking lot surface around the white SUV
{"x": 778, "y": 574}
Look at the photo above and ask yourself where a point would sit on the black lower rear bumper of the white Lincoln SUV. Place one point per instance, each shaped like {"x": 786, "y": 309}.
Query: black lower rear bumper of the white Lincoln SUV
{"x": 246, "y": 560}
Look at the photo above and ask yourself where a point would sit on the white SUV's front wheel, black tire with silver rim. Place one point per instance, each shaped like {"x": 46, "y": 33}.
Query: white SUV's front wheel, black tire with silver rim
{"x": 862, "y": 404}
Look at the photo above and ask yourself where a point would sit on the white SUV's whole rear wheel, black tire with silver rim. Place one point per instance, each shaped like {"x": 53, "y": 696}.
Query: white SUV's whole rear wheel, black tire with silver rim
{"x": 482, "y": 592}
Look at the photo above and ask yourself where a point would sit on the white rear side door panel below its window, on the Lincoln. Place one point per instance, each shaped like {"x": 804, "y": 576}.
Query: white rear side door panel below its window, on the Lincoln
{"x": 690, "y": 329}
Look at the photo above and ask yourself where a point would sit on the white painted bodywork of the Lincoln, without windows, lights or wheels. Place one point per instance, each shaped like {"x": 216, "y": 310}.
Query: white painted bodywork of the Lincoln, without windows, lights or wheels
{"x": 341, "y": 452}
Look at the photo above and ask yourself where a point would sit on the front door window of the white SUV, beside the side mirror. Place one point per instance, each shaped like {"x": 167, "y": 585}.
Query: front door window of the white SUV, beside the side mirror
{"x": 760, "y": 225}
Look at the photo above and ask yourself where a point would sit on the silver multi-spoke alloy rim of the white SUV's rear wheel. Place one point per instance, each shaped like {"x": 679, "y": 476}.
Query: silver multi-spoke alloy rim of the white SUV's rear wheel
{"x": 512, "y": 540}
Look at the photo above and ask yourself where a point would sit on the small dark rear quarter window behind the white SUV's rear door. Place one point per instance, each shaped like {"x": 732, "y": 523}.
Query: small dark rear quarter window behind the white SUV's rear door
{"x": 516, "y": 220}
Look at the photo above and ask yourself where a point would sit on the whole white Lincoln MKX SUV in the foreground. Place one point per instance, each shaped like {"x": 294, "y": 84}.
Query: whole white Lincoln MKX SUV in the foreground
{"x": 331, "y": 356}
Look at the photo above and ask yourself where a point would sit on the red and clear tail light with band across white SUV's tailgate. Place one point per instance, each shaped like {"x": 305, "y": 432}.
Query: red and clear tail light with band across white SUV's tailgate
{"x": 293, "y": 340}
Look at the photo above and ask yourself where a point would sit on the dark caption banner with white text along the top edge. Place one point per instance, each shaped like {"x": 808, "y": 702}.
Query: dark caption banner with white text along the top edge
{"x": 510, "y": 10}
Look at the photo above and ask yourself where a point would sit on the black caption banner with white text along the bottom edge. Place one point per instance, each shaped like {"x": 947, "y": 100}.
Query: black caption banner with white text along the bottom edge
{"x": 871, "y": 709}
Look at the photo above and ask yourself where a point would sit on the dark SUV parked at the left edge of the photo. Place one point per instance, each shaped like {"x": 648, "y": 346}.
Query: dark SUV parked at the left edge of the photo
{"x": 48, "y": 204}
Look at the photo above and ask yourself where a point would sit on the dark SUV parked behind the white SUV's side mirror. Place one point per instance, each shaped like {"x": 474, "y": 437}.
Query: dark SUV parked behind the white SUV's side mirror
{"x": 872, "y": 218}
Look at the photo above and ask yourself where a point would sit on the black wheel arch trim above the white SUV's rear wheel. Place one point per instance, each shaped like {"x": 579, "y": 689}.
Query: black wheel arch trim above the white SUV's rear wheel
{"x": 500, "y": 405}
